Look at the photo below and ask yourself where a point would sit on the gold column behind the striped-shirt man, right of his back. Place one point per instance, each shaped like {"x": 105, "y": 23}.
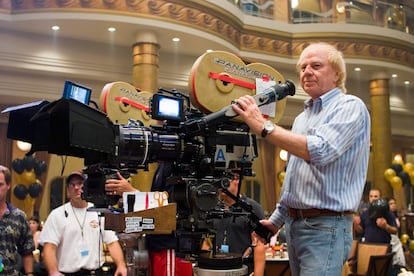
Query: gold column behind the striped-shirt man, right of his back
{"x": 381, "y": 133}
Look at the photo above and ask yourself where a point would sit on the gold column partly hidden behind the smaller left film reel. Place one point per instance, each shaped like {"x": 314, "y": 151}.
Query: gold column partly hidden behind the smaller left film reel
{"x": 145, "y": 77}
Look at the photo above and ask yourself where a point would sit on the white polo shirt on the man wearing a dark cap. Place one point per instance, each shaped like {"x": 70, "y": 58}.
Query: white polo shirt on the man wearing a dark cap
{"x": 78, "y": 235}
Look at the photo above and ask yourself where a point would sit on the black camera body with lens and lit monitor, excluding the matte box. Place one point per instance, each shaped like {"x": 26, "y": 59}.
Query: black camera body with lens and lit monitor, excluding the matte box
{"x": 200, "y": 161}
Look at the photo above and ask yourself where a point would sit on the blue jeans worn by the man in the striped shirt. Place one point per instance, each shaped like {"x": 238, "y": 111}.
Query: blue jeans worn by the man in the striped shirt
{"x": 318, "y": 246}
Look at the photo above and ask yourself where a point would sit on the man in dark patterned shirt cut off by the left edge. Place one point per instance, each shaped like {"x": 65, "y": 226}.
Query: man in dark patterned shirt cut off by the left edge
{"x": 15, "y": 236}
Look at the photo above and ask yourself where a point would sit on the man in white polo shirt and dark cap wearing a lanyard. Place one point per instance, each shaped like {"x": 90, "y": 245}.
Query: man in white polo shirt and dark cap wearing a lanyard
{"x": 72, "y": 237}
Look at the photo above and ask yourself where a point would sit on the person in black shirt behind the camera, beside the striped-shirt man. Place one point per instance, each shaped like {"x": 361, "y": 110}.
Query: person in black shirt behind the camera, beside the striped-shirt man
{"x": 236, "y": 234}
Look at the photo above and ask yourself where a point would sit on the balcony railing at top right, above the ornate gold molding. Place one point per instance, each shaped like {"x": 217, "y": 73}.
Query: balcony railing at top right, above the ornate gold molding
{"x": 368, "y": 12}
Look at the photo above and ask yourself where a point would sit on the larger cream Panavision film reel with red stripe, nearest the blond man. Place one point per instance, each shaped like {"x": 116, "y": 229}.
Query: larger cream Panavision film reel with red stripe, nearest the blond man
{"x": 217, "y": 78}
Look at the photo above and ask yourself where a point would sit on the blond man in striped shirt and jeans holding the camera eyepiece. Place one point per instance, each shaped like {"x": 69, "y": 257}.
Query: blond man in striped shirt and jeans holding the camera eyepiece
{"x": 327, "y": 165}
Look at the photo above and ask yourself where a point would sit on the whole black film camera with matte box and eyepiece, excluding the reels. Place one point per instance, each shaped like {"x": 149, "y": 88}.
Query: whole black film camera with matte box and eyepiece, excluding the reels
{"x": 202, "y": 148}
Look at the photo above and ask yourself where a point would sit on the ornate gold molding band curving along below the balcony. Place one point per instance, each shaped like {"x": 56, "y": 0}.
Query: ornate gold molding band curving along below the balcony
{"x": 217, "y": 21}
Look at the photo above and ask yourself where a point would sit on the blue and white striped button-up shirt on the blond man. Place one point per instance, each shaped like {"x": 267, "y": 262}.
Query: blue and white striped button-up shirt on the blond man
{"x": 337, "y": 129}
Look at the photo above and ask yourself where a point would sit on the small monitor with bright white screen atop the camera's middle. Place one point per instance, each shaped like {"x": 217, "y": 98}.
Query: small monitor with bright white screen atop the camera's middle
{"x": 167, "y": 108}
